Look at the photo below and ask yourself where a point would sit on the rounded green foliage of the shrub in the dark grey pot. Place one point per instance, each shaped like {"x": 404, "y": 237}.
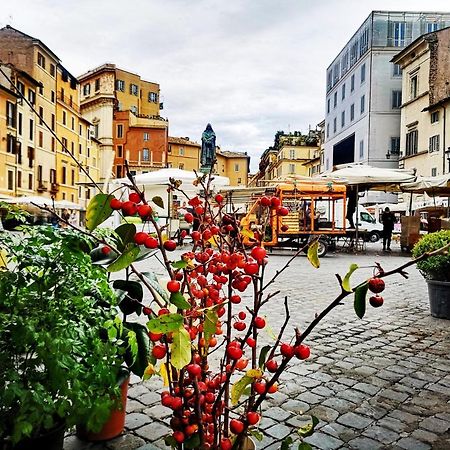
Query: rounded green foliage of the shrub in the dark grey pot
{"x": 436, "y": 267}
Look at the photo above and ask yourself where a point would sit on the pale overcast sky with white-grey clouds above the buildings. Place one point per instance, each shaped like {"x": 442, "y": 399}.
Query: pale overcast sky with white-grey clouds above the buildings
{"x": 250, "y": 67}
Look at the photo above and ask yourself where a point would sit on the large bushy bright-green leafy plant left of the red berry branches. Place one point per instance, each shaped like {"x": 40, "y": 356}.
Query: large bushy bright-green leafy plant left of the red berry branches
{"x": 59, "y": 334}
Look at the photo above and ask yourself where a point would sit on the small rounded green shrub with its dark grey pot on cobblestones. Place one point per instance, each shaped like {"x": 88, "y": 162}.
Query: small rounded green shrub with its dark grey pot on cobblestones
{"x": 436, "y": 271}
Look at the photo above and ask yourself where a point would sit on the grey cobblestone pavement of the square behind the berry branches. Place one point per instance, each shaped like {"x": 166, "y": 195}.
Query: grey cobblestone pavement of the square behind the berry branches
{"x": 378, "y": 383}
